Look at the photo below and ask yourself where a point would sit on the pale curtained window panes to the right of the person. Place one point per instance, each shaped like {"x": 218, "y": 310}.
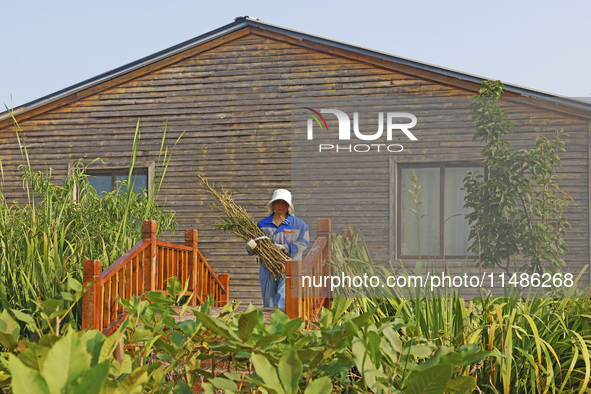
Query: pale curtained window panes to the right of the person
{"x": 437, "y": 227}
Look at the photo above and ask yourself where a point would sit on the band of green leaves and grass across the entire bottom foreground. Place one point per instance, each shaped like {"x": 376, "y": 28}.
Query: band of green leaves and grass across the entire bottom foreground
{"x": 491, "y": 346}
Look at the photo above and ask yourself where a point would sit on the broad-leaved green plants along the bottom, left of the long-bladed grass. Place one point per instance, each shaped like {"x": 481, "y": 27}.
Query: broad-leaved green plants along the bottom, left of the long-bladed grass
{"x": 345, "y": 352}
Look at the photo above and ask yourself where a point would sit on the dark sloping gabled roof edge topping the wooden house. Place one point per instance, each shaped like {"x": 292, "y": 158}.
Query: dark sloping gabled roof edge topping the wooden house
{"x": 244, "y": 22}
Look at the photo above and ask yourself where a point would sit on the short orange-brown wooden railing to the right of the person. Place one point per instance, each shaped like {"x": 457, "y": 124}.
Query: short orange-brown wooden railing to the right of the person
{"x": 302, "y": 298}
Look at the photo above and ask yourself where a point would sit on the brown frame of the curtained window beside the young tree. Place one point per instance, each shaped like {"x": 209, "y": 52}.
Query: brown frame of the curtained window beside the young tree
{"x": 396, "y": 194}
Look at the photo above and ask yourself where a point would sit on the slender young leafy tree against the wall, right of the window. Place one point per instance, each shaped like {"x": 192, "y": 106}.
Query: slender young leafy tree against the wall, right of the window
{"x": 518, "y": 207}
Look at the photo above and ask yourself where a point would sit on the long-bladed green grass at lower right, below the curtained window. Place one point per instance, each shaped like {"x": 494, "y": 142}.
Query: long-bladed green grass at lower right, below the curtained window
{"x": 545, "y": 342}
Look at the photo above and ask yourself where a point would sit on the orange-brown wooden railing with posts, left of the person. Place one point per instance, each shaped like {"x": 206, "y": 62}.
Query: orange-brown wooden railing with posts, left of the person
{"x": 148, "y": 266}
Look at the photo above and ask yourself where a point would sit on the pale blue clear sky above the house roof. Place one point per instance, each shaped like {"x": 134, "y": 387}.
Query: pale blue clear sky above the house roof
{"x": 542, "y": 45}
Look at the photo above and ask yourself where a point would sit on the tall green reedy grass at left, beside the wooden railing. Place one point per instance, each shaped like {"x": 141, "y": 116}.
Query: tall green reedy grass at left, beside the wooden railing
{"x": 44, "y": 241}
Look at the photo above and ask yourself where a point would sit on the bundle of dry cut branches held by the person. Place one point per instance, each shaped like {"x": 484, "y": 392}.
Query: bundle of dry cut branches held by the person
{"x": 239, "y": 222}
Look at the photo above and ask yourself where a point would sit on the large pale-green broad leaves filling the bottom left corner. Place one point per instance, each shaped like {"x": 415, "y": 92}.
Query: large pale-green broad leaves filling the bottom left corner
{"x": 73, "y": 363}
